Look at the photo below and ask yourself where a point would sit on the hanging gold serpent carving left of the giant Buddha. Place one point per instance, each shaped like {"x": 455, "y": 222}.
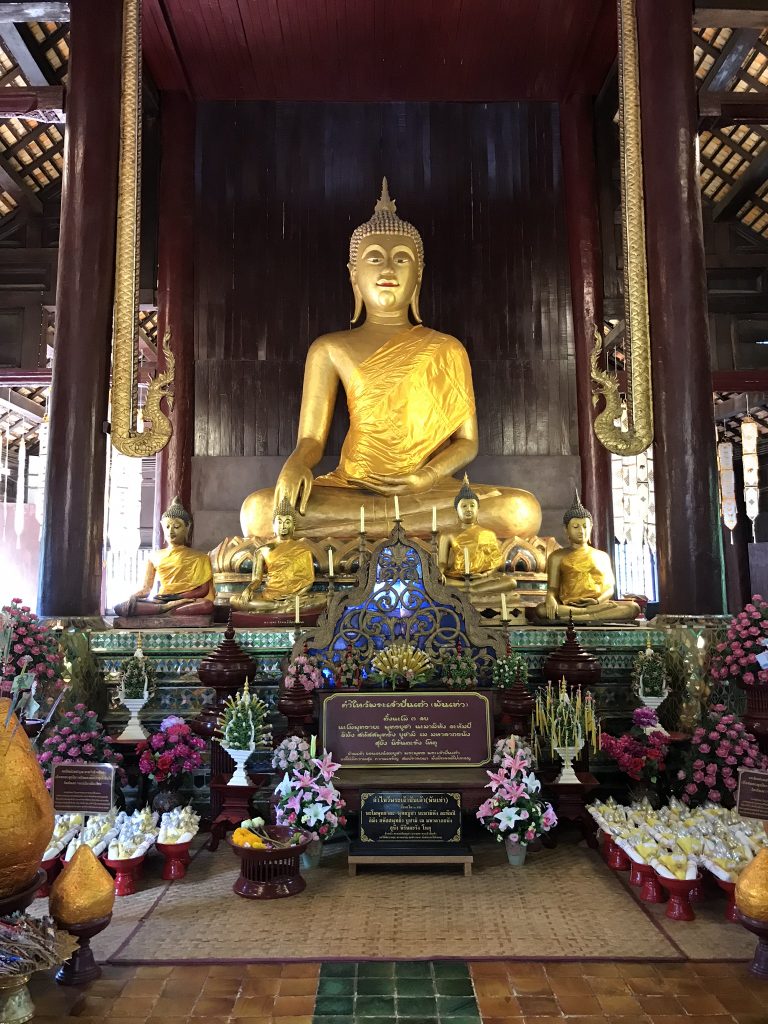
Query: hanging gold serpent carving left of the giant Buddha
{"x": 124, "y": 394}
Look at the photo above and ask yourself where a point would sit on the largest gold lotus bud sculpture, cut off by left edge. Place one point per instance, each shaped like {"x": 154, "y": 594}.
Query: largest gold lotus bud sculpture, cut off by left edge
{"x": 26, "y": 808}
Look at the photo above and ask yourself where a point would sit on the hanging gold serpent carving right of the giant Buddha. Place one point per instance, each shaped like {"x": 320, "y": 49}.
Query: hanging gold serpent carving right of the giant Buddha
{"x": 637, "y": 344}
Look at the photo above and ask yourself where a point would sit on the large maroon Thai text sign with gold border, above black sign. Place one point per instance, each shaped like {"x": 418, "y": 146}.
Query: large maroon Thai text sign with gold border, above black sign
{"x": 408, "y": 731}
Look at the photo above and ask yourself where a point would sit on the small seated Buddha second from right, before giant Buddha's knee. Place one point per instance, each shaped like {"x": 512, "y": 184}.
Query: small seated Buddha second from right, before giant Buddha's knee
{"x": 488, "y": 580}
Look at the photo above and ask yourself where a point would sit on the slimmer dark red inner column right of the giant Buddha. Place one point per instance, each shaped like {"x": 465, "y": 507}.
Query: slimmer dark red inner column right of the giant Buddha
{"x": 577, "y": 134}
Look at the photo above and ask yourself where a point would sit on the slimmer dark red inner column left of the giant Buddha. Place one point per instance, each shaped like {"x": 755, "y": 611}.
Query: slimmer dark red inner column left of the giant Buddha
{"x": 177, "y": 292}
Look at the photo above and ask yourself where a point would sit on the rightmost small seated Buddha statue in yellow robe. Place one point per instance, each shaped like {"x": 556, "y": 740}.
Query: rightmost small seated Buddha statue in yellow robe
{"x": 580, "y": 578}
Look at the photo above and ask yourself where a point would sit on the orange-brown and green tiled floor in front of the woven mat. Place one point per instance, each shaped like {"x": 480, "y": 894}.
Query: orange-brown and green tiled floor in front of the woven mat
{"x": 415, "y": 993}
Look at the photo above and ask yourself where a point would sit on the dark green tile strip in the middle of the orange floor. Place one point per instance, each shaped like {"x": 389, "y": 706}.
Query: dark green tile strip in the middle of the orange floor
{"x": 415, "y": 993}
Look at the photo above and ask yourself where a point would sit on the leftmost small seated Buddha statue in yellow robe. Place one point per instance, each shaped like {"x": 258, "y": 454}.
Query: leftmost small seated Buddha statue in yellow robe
{"x": 186, "y": 576}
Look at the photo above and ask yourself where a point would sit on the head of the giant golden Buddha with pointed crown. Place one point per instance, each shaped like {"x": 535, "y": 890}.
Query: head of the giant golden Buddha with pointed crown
{"x": 387, "y": 263}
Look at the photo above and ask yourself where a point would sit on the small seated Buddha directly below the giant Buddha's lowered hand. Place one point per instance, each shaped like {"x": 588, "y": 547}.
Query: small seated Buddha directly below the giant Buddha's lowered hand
{"x": 283, "y": 572}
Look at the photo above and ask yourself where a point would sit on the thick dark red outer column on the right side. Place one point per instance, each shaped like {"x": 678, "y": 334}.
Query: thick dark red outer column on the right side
{"x": 688, "y": 523}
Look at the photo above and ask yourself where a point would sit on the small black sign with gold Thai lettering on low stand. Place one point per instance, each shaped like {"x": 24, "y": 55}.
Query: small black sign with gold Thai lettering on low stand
{"x": 405, "y": 818}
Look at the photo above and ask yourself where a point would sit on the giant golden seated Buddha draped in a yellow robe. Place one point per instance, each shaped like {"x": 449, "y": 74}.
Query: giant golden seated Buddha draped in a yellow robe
{"x": 412, "y": 410}
